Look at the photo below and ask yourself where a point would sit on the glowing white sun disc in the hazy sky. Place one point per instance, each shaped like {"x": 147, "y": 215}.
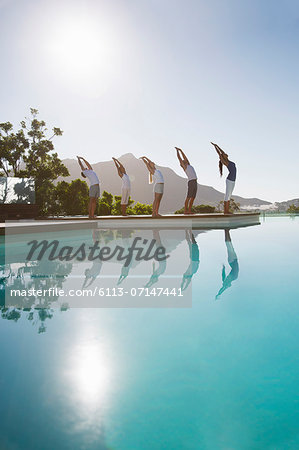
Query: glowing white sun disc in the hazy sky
{"x": 82, "y": 51}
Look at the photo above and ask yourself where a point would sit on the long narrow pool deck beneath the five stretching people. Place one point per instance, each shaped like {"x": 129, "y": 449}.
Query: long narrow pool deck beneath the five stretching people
{"x": 169, "y": 221}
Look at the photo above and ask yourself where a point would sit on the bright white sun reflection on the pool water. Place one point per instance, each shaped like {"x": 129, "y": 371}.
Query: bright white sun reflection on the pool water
{"x": 86, "y": 383}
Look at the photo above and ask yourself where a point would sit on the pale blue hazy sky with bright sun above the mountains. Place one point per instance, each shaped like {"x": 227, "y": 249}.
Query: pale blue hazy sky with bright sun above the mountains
{"x": 143, "y": 76}
